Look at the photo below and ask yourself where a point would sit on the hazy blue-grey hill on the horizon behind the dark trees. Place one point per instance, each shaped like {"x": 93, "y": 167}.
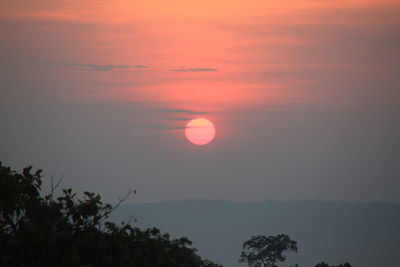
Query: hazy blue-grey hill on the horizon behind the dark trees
{"x": 365, "y": 234}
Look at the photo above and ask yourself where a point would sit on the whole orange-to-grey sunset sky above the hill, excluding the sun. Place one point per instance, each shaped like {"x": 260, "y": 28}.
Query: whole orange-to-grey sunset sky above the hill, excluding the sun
{"x": 304, "y": 96}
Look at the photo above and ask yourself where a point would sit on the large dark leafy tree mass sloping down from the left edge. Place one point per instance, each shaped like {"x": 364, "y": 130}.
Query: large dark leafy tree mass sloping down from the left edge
{"x": 72, "y": 231}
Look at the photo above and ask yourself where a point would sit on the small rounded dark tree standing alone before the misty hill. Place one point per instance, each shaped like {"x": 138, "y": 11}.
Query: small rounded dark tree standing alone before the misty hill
{"x": 266, "y": 251}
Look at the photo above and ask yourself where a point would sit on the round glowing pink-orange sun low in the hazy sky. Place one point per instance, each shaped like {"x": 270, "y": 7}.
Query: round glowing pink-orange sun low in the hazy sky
{"x": 200, "y": 131}
